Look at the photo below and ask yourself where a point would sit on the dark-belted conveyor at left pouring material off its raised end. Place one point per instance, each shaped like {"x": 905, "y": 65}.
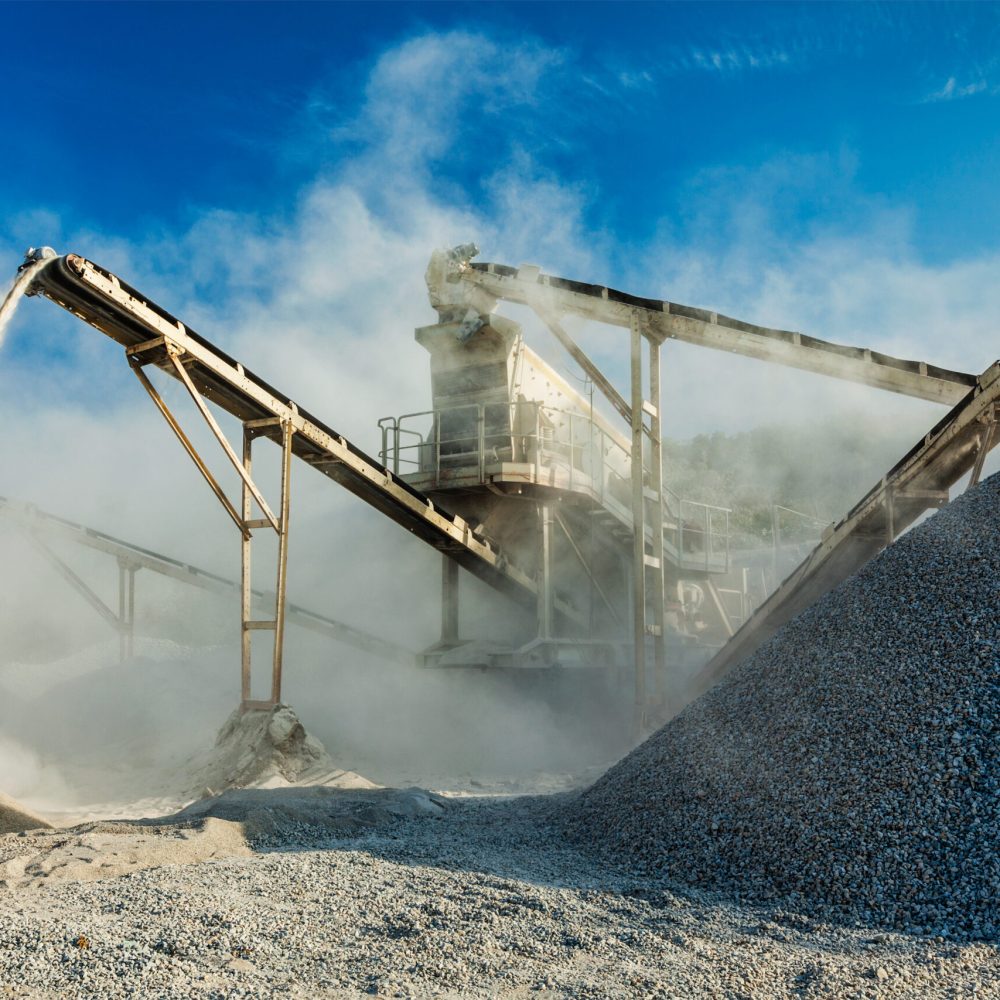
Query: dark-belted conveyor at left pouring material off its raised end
{"x": 109, "y": 305}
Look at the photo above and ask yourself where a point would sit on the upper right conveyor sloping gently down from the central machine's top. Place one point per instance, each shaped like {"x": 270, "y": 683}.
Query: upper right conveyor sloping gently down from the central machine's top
{"x": 671, "y": 320}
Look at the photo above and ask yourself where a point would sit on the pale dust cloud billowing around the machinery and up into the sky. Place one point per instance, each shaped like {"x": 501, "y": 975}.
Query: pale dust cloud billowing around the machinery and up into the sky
{"x": 321, "y": 301}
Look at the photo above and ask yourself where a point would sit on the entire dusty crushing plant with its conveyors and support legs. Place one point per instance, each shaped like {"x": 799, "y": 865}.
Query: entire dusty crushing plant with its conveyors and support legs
{"x": 516, "y": 478}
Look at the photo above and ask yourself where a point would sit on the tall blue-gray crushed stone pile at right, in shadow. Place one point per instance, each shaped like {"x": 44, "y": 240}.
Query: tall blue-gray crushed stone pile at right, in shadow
{"x": 851, "y": 766}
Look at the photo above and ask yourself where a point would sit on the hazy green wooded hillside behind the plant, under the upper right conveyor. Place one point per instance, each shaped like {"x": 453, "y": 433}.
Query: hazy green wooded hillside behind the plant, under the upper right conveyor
{"x": 821, "y": 469}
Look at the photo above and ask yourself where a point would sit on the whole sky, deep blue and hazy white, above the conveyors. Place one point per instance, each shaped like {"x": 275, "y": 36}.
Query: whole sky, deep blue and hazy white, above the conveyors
{"x": 278, "y": 174}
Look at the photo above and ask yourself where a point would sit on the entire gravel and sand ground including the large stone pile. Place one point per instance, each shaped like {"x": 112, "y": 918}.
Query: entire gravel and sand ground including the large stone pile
{"x": 824, "y": 823}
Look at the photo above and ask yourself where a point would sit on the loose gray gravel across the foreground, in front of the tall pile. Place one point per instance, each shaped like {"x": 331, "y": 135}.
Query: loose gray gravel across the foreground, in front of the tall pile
{"x": 485, "y": 900}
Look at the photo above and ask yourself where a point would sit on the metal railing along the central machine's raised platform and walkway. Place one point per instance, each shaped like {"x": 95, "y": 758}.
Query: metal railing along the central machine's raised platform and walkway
{"x": 478, "y": 438}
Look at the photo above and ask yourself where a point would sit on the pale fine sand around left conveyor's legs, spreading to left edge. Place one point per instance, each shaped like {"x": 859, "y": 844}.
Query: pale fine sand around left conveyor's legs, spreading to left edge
{"x": 266, "y": 783}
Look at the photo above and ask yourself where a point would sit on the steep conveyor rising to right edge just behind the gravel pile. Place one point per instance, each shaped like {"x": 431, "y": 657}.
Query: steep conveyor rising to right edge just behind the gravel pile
{"x": 918, "y": 482}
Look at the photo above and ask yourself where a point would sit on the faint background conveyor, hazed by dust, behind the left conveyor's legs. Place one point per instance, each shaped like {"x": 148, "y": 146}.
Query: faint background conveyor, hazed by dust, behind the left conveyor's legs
{"x": 31, "y": 518}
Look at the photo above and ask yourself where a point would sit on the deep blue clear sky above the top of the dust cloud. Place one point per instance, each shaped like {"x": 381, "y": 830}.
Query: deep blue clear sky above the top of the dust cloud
{"x": 129, "y": 117}
